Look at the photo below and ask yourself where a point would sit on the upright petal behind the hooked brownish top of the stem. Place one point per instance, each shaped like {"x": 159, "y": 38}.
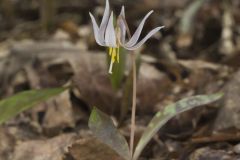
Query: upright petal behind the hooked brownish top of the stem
{"x": 122, "y": 25}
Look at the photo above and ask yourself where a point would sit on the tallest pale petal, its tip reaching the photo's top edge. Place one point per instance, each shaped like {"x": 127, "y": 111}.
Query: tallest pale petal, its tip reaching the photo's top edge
{"x": 105, "y": 19}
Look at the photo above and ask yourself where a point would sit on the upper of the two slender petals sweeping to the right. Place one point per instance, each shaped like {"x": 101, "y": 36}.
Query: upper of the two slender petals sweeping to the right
{"x": 137, "y": 33}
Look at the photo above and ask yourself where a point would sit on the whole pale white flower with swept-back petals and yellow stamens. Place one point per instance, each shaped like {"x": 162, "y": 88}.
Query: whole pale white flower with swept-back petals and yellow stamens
{"x": 106, "y": 35}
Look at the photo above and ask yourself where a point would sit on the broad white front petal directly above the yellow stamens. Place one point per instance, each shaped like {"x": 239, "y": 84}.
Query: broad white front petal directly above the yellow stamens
{"x": 110, "y": 37}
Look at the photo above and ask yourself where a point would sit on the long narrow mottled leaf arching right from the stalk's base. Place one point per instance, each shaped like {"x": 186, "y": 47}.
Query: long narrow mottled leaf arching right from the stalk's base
{"x": 167, "y": 113}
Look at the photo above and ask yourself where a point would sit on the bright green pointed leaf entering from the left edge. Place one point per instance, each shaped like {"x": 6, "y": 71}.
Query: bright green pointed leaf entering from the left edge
{"x": 22, "y": 101}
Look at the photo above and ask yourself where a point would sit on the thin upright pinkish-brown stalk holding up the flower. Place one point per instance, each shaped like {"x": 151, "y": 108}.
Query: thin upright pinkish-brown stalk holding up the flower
{"x": 134, "y": 97}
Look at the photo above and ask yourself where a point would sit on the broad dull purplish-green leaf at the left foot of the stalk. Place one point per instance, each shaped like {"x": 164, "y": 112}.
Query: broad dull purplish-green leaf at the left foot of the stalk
{"x": 103, "y": 128}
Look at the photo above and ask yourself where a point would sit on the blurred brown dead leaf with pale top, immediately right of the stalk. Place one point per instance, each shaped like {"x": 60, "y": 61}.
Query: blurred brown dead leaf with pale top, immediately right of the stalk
{"x": 152, "y": 84}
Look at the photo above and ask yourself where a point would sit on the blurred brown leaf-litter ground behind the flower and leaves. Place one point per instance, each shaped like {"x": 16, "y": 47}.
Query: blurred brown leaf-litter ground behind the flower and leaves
{"x": 50, "y": 43}
